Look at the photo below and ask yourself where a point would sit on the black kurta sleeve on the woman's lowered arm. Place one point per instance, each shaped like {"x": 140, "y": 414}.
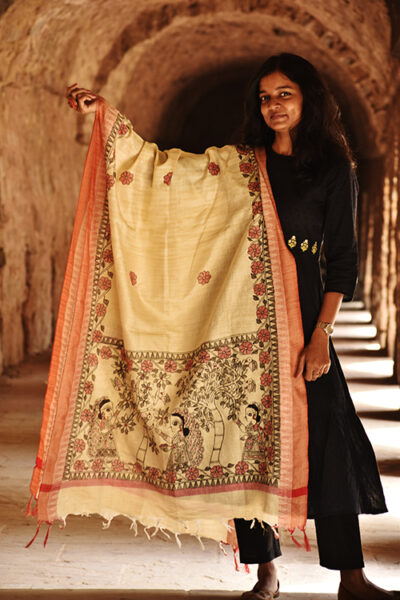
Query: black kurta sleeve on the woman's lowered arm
{"x": 340, "y": 244}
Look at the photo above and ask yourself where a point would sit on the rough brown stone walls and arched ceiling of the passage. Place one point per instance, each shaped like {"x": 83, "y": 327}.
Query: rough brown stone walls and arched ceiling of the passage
{"x": 159, "y": 62}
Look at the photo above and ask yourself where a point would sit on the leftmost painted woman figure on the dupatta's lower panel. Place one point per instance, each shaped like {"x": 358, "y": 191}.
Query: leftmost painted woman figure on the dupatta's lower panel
{"x": 101, "y": 437}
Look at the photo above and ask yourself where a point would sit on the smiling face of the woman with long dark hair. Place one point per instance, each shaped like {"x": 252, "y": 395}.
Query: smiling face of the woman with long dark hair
{"x": 281, "y": 102}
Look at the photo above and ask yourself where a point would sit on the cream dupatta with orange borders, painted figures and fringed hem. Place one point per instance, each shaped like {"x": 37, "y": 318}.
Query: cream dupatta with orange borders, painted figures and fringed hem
{"x": 171, "y": 396}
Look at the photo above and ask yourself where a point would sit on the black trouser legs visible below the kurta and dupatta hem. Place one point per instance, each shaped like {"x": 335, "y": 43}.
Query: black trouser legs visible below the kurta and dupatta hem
{"x": 338, "y": 538}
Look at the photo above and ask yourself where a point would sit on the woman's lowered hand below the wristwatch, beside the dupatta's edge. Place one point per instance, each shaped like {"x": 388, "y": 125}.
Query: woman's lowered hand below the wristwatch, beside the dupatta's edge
{"x": 314, "y": 359}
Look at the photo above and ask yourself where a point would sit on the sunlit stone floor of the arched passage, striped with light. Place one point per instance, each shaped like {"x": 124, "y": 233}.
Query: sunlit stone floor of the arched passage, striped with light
{"x": 83, "y": 561}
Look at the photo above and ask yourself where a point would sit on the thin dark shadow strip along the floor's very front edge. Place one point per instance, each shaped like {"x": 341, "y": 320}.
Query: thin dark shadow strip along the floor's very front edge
{"x": 141, "y": 595}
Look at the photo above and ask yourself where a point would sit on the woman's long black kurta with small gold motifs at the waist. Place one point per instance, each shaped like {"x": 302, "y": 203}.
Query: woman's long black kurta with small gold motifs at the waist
{"x": 343, "y": 478}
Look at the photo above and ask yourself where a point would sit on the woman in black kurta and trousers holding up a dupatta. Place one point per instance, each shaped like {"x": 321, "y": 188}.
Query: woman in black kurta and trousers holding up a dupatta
{"x": 293, "y": 116}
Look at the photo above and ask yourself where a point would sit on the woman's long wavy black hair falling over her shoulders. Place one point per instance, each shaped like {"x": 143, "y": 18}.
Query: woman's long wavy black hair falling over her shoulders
{"x": 319, "y": 136}
